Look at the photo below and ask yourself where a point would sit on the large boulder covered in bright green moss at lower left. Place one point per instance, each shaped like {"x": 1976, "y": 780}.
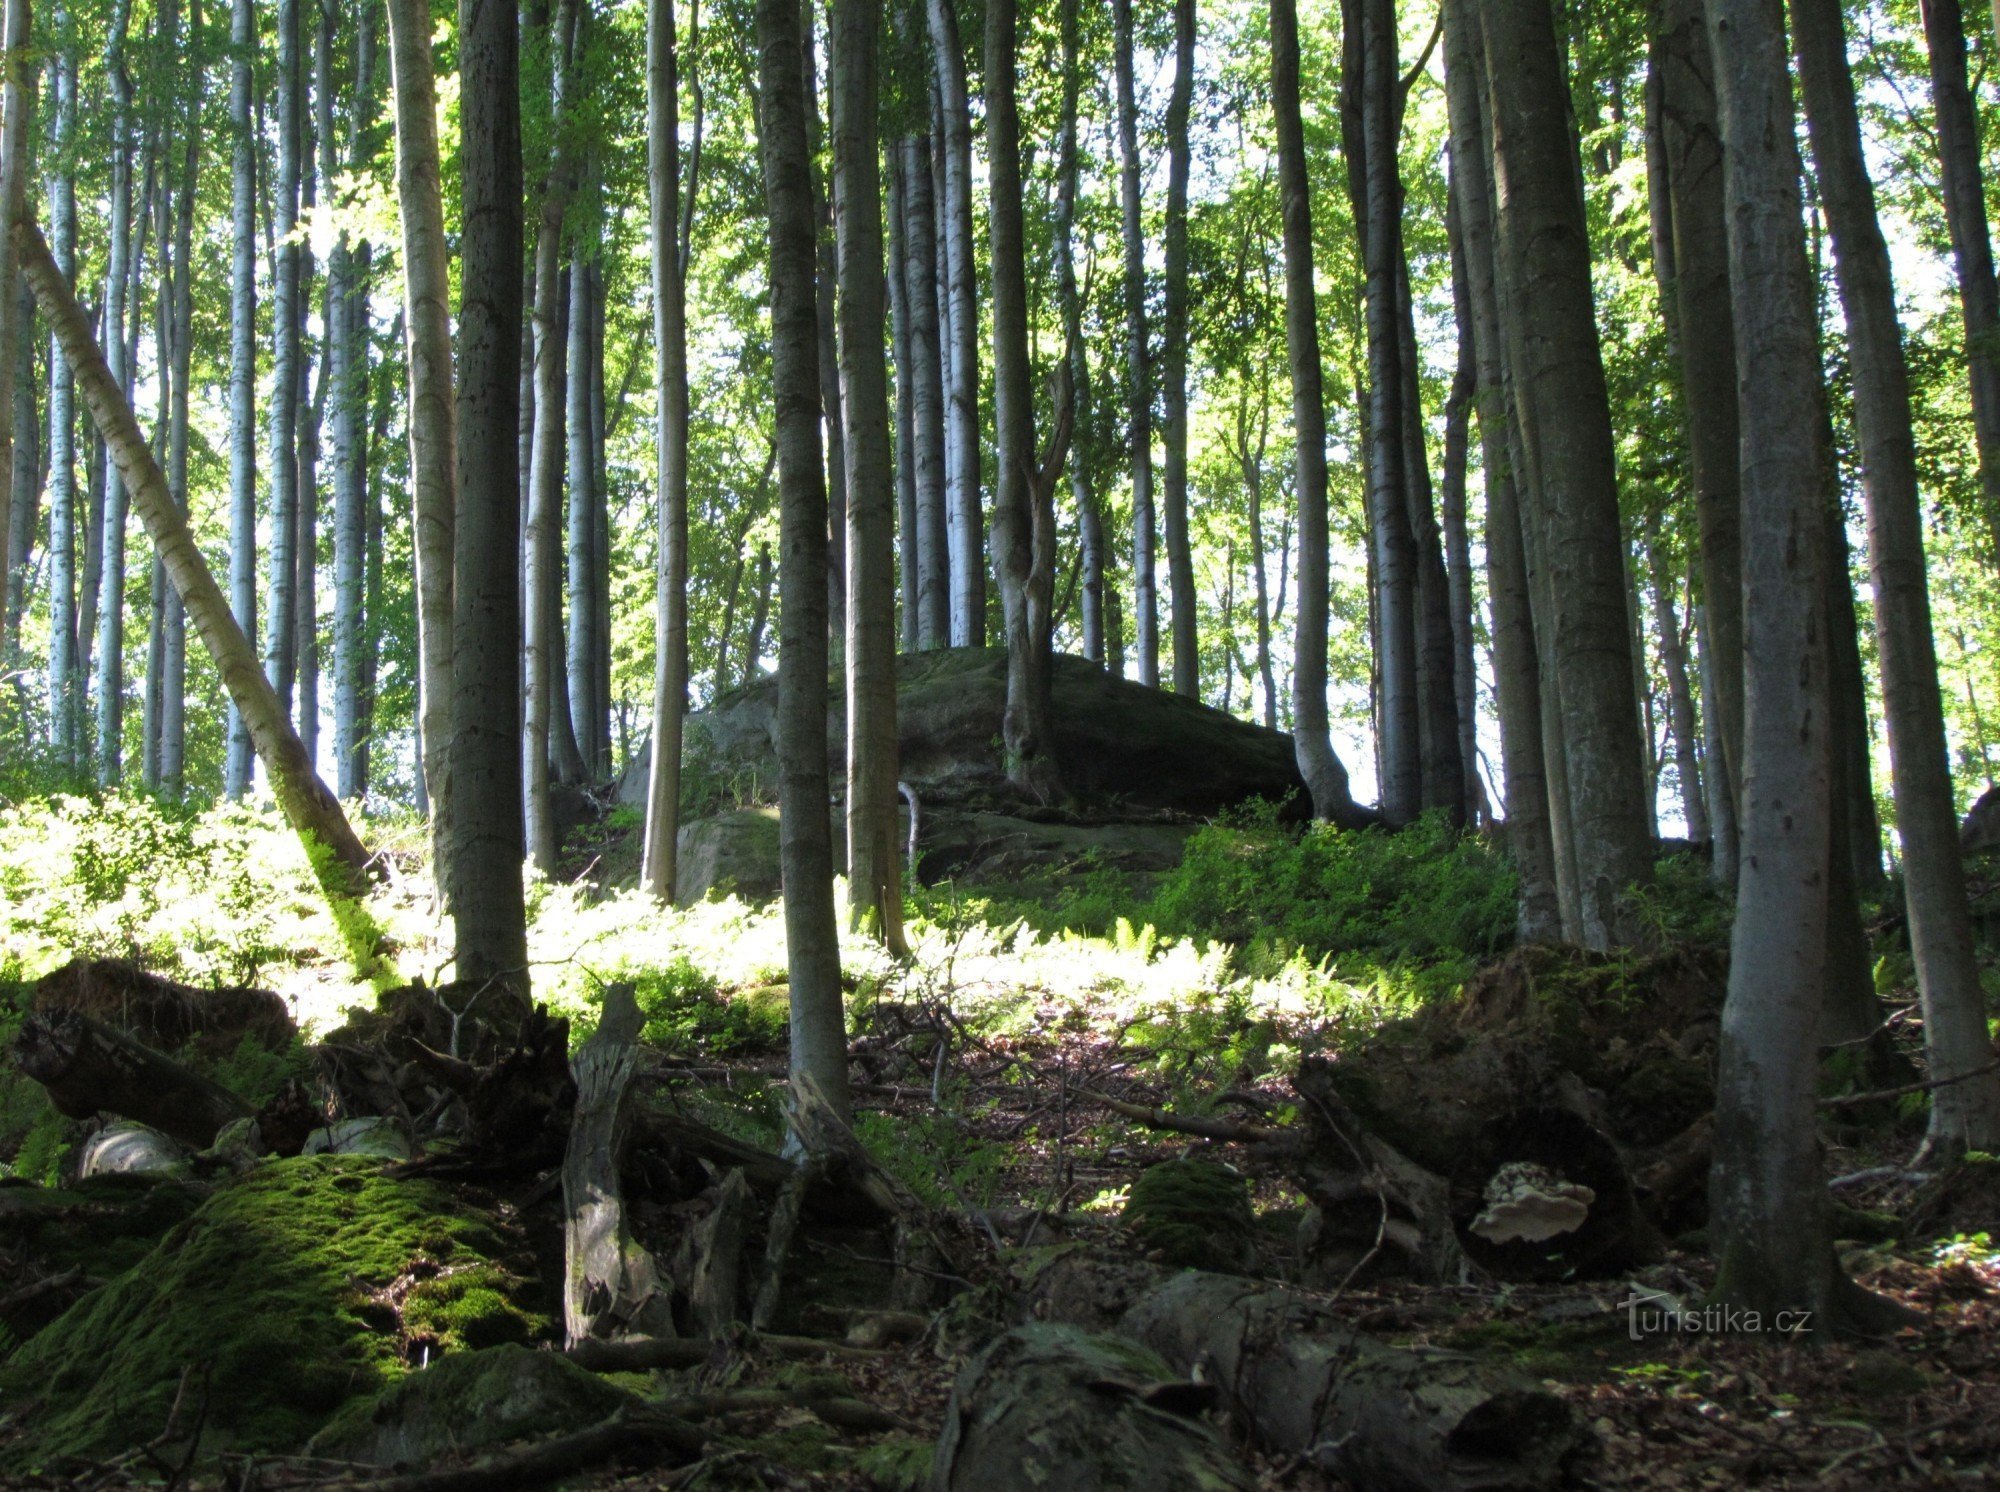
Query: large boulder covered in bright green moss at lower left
{"x": 291, "y": 1291}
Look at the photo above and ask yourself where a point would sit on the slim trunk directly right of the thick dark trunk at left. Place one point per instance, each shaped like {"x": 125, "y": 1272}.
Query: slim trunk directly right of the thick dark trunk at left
{"x": 543, "y": 561}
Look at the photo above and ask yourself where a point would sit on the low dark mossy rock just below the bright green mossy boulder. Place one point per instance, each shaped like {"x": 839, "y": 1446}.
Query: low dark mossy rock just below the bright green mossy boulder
{"x": 465, "y": 1403}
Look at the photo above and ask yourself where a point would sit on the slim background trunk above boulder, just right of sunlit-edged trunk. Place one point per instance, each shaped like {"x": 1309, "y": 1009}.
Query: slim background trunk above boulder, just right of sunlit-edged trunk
{"x": 927, "y": 399}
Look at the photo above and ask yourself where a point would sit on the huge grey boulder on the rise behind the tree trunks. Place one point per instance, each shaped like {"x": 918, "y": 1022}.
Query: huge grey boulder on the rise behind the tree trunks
{"x": 1125, "y": 749}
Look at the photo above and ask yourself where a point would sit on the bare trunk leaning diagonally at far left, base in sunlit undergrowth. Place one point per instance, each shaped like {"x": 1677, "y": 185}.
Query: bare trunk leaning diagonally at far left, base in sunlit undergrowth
{"x": 337, "y": 855}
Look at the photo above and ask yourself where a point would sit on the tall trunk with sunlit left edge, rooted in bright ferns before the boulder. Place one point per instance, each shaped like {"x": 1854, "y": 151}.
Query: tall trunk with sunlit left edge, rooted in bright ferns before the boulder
{"x": 875, "y": 869}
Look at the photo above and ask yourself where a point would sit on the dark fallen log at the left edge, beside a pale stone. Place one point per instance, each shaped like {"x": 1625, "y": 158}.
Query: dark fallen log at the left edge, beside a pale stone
{"x": 93, "y": 1069}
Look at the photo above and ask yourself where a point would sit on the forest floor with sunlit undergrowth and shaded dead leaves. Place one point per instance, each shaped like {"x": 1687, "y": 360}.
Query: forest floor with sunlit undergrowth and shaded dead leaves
{"x": 981, "y": 1077}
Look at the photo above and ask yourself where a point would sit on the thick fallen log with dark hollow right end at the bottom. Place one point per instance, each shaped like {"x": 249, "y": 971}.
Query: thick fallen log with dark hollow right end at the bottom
{"x": 1307, "y": 1385}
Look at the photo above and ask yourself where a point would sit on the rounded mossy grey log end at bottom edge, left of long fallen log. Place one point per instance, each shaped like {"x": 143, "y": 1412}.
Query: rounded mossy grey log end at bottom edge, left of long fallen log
{"x": 1051, "y": 1405}
